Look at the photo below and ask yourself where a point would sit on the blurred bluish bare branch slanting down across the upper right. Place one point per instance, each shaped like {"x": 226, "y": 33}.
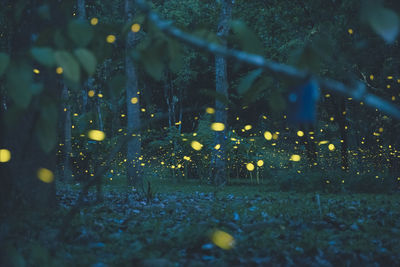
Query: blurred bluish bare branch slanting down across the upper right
{"x": 359, "y": 93}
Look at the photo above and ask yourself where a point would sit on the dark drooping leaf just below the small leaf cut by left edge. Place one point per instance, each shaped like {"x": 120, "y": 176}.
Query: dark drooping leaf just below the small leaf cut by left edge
{"x": 18, "y": 84}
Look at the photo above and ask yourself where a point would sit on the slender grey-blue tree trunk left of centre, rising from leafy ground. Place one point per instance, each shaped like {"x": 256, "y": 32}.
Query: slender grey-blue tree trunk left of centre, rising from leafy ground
{"x": 134, "y": 145}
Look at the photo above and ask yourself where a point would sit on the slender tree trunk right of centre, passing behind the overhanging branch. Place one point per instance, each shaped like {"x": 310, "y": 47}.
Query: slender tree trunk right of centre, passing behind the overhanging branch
{"x": 221, "y": 83}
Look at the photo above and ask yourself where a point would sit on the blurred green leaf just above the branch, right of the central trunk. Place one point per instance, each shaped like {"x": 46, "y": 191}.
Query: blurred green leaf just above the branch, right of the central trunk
{"x": 248, "y": 40}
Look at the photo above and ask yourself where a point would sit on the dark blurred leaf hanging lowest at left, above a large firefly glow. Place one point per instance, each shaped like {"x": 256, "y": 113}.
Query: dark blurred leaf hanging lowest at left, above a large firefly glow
{"x": 46, "y": 127}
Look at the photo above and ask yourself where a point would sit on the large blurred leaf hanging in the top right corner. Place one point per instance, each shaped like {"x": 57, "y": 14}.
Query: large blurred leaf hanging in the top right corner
{"x": 383, "y": 21}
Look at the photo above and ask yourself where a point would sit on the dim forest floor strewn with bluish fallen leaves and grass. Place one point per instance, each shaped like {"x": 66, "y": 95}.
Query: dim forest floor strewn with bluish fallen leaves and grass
{"x": 174, "y": 227}
